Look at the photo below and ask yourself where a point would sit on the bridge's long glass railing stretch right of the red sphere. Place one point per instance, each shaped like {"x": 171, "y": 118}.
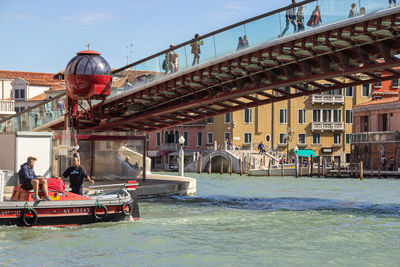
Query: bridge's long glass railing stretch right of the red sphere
{"x": 258, "y": 30}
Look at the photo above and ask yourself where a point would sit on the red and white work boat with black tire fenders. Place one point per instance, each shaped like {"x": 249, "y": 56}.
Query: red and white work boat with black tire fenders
{"x": 108, "y": 203}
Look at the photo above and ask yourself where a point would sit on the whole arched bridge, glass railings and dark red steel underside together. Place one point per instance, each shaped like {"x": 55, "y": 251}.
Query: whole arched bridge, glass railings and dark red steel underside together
{"x": 341, "y": 52}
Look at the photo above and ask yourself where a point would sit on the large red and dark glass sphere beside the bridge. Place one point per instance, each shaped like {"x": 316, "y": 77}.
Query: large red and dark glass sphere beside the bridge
{"x": 88, "y": 75}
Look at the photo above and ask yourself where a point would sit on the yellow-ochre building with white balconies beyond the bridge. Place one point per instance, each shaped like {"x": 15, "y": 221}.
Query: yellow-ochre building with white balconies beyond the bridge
{"x": 321, "y": 122}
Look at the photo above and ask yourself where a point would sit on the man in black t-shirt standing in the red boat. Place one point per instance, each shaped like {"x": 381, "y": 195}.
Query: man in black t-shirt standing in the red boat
{"x": 76, "y": 174}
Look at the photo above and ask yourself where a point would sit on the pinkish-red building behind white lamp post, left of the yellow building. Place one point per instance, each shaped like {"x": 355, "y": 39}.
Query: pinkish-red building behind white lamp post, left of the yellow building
{"x": 163, "y": 146}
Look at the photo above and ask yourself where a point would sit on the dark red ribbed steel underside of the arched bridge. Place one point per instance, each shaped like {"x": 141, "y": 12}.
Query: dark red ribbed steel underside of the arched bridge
{"x": 314, "y": 62}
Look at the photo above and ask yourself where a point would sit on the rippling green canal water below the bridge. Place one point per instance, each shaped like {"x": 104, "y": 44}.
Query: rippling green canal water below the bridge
{"x": 233, "y": 221}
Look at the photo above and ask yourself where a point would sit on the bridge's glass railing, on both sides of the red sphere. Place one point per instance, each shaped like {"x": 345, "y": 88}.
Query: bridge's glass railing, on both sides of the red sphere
{"x": 303, "y": 16}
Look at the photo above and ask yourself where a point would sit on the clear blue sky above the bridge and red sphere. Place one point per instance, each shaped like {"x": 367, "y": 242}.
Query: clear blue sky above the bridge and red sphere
{"x": 43, "y": 35}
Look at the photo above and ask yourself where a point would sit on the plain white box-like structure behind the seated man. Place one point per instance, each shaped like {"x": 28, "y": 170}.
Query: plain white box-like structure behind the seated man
{"x": 18, "y": 146}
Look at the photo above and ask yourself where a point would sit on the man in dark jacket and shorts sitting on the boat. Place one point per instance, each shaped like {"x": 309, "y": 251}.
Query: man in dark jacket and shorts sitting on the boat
{"x": 29, "y": 180}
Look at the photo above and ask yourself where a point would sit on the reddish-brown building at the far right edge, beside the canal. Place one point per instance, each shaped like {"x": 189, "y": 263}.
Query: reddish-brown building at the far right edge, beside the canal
{"x": 376, "y": 133}
